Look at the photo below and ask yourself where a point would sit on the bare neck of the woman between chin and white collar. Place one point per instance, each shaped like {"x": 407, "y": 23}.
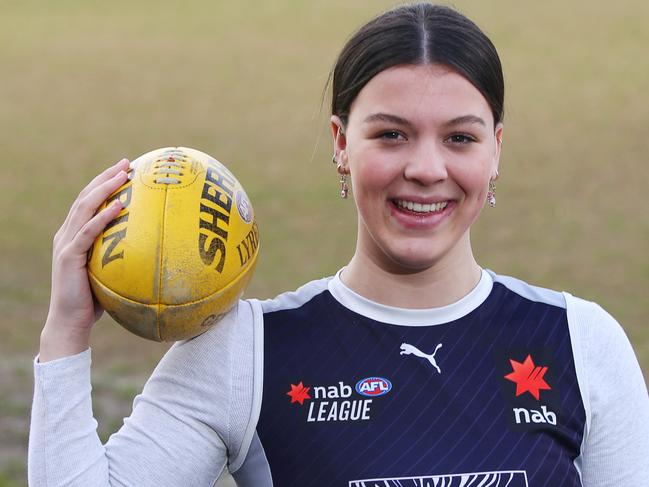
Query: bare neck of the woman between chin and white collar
{"x": 441, "y": 284}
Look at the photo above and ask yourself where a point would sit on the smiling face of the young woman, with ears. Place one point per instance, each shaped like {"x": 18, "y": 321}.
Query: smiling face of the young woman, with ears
{"x": 421, "y": 146}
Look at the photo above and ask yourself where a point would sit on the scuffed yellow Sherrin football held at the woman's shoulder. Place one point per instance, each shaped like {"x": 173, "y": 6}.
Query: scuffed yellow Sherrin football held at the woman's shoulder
{"x": 182, "y": 250}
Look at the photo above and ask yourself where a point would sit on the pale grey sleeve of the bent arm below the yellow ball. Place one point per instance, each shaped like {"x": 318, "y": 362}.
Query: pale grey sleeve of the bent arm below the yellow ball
{"x": 181, "y": 429}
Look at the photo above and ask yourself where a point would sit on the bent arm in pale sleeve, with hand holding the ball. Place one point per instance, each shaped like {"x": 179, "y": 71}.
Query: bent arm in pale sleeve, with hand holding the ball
{"x": 182, "y": 426}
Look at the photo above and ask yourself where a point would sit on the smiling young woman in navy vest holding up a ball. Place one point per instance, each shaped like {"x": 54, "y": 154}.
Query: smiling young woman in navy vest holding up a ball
{"x": 412, "y": 366}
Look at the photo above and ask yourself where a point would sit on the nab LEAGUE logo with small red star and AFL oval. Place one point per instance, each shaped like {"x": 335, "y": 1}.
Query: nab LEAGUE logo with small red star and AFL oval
{"x": 336, "y": 402}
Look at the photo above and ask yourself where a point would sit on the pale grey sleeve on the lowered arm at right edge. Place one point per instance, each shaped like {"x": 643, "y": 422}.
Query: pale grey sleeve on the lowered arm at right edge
{"x": 615, "y": 450}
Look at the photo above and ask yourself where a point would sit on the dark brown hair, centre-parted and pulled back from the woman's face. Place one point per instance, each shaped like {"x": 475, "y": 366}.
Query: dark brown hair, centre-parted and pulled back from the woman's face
{"x": 418, "y": 34}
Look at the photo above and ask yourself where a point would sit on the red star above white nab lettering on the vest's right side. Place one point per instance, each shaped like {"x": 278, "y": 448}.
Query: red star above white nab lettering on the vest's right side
{"x": 530, "y": 378}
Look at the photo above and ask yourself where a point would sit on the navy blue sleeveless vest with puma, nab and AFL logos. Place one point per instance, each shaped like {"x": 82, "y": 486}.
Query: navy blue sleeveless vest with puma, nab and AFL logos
{"x": 488, "y": 398}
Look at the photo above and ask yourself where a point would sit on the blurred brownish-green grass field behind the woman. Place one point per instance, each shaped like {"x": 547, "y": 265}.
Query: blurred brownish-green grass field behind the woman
{"x": 86, "y": 83}
